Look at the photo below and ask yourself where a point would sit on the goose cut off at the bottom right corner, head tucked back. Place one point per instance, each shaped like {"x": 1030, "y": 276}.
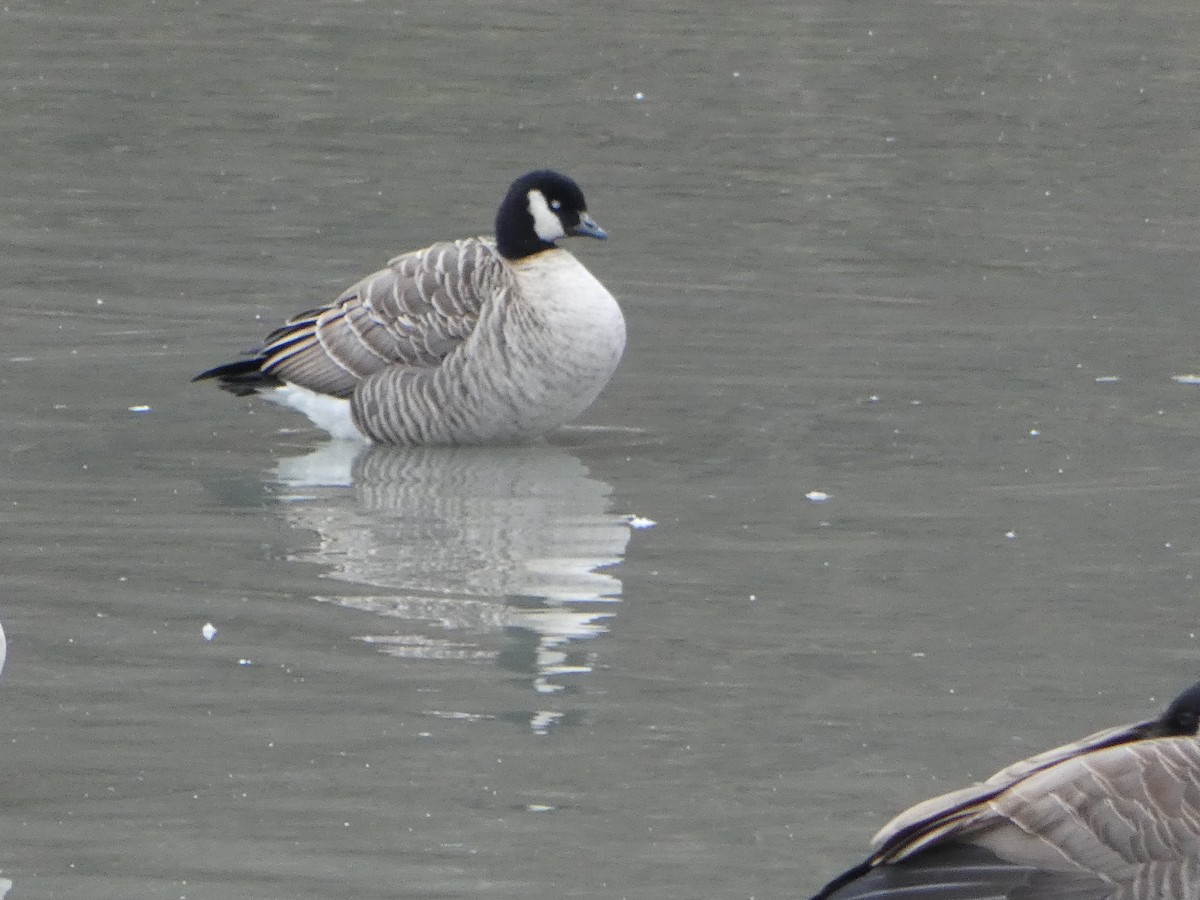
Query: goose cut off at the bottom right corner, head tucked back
{"x": 1114, "y": 815}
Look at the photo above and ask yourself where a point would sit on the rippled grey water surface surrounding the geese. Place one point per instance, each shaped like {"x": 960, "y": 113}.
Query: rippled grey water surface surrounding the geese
{"x": 935, "y": 261}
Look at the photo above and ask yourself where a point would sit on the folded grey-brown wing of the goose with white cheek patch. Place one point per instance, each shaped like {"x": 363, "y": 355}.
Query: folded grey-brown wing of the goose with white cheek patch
{"x": 411, "y": 315}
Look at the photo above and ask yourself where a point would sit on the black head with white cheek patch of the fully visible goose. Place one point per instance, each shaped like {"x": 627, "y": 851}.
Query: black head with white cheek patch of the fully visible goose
{"x": 541, "y": 208}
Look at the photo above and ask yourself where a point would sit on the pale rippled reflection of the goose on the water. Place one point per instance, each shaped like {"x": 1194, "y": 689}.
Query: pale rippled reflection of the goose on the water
{"x": 483, "y": 554}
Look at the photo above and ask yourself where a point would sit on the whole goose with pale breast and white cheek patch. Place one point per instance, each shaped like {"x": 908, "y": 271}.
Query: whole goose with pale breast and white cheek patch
{"x": 465, "y": 343}
